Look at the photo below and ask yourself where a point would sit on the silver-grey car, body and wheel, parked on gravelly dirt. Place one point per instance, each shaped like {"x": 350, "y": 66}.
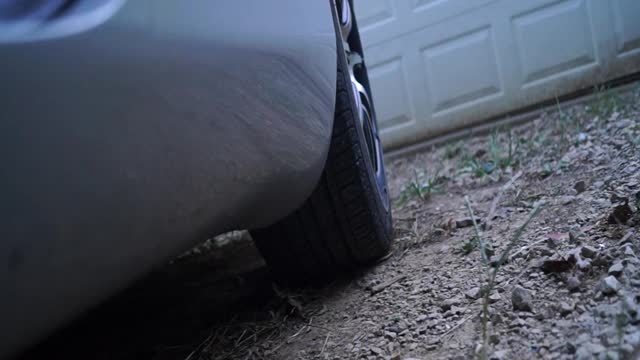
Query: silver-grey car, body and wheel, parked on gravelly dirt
{"x": 133, "y": 130}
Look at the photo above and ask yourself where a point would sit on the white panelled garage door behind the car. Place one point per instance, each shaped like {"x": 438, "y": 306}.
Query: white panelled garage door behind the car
{"x": 438, "y": 65}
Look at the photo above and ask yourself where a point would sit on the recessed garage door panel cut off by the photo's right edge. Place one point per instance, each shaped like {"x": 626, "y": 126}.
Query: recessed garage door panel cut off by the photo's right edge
{"x": 627, "y": 25}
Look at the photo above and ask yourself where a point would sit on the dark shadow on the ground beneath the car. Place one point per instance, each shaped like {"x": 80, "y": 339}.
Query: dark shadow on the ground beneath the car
{"x": 169, "y": 312}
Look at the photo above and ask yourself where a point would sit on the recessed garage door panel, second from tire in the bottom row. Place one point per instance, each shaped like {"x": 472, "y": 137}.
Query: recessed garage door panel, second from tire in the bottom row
{"x": 451, "y": 81}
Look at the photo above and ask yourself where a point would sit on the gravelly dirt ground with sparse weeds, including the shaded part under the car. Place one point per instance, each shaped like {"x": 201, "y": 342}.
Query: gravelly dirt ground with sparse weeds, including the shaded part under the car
{"x": 566, "y": 286}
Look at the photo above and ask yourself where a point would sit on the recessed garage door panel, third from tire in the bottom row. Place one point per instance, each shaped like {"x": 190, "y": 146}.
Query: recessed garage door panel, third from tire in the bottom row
{"x": 553, "y": 39}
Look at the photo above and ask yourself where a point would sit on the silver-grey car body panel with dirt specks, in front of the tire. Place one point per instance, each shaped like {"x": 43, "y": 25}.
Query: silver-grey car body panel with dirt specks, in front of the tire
{"x": 130, "y": 141}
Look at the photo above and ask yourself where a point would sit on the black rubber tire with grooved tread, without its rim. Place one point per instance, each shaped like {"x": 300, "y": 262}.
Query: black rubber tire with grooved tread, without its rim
{"x": 346, "y": 222}
